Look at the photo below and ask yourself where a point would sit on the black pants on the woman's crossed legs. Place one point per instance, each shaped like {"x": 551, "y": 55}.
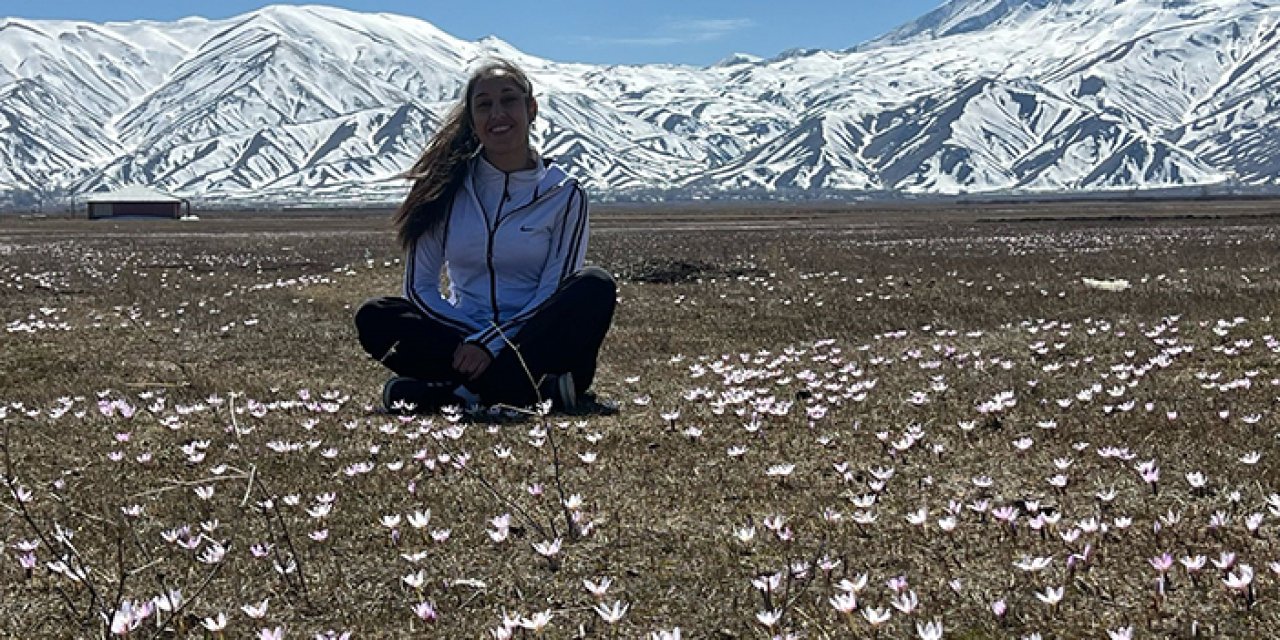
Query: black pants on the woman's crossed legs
{"x": 564, "y": 337}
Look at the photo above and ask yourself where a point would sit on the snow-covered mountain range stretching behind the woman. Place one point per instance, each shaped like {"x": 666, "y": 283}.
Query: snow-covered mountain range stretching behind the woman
{"x": 310, "y": 104}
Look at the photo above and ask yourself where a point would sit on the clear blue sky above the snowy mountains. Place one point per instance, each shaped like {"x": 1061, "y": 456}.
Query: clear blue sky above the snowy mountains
{"x": 589, "y": 31}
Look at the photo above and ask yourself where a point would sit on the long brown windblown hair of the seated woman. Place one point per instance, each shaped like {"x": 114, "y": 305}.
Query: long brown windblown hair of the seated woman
{"x": 441, "y": 170}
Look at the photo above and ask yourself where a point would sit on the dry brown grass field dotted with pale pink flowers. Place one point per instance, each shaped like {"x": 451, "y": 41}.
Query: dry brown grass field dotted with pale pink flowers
{"x": 995, "y": 422}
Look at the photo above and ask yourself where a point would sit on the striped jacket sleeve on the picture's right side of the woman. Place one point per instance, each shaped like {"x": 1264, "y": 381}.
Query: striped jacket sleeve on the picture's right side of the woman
{"x": 568, "y": 257}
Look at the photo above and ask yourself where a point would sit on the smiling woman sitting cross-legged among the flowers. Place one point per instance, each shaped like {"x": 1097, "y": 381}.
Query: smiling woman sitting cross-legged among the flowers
{"x": 524, "y": 321}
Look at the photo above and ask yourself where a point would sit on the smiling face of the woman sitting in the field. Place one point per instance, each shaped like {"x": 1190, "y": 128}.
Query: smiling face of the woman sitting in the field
{"x": 501, "y": 116}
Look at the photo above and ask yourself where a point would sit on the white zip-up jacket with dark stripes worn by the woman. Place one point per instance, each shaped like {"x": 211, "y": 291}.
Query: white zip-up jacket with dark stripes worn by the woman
{"x": 508, "y": 245}
